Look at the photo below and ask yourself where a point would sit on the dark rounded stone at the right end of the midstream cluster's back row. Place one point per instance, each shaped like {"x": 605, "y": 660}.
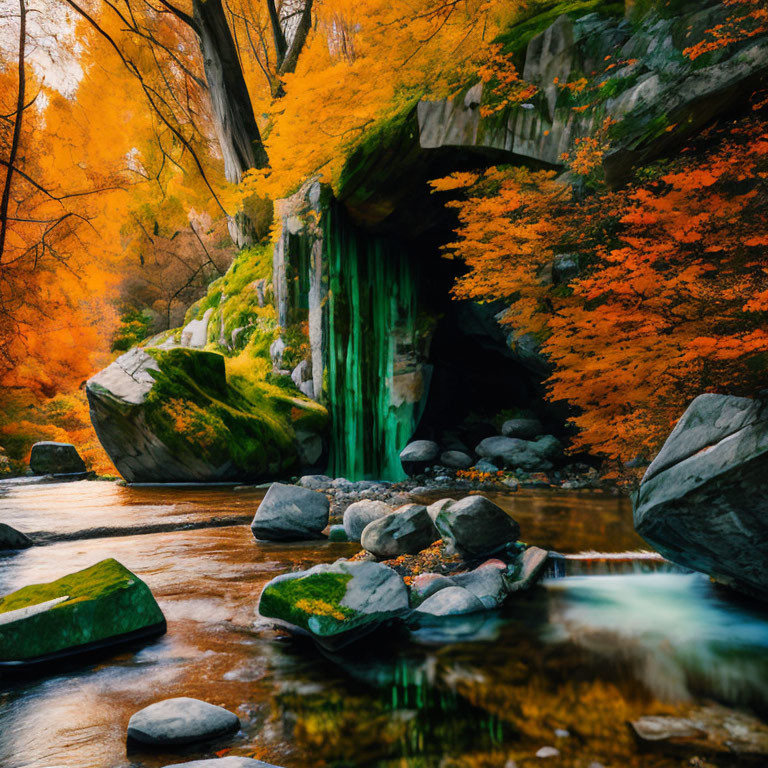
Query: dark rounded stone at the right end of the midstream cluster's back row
{"x": 475, "y": 526}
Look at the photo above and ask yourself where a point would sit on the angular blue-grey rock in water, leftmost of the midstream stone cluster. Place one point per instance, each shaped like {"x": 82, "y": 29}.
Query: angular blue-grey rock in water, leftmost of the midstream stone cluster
{"x": 290, "y": 513}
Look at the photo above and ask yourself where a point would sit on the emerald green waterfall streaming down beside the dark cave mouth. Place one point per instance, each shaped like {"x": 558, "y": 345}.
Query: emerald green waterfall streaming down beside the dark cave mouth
{"x": 372, "y": 329}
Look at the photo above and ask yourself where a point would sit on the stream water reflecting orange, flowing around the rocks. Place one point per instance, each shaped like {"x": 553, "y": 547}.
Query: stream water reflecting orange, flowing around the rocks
{"x": 581, "y": 654}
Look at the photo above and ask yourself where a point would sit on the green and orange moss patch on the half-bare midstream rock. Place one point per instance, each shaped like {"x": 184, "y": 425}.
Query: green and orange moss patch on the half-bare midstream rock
{"x": 317, "y": 596}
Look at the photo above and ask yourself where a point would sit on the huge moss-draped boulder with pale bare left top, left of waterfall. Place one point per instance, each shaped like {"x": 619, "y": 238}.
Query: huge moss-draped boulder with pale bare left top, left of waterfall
{"x": 188, "y": 415}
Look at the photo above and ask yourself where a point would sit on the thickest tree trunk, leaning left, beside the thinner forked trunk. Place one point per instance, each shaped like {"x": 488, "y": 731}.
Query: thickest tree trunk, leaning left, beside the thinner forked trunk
{"x": 235, "y": 123}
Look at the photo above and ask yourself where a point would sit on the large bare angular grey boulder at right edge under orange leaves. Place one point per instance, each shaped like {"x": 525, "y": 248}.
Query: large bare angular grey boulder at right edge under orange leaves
{"x": 702, "y": 501}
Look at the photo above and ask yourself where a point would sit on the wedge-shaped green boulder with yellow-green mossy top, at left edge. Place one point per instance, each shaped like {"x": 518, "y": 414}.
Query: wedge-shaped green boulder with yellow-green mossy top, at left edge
{"x": 103, "y": 605}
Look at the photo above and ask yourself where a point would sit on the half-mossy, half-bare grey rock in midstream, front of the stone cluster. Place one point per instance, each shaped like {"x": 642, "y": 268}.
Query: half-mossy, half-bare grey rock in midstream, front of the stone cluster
{"x": 335, "y": 603}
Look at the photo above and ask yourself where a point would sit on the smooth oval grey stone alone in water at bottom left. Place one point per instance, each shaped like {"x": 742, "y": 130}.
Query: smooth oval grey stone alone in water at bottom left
{"x": 181, "y": 721}
